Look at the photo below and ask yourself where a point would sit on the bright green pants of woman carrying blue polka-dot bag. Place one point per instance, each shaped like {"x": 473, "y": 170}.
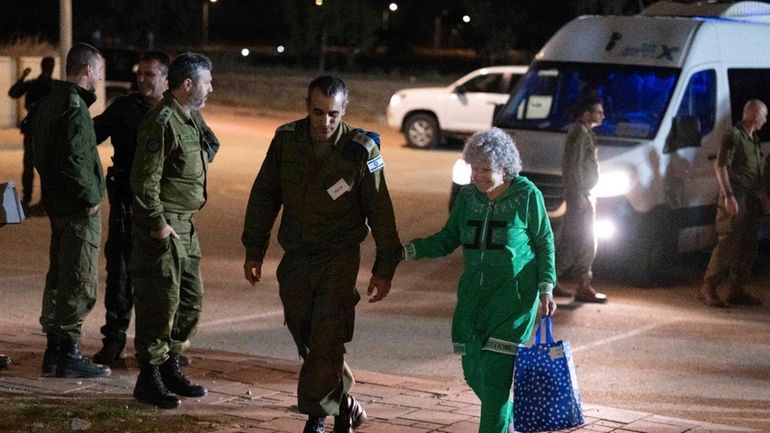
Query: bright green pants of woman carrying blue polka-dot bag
{"x": 490, "y": 375}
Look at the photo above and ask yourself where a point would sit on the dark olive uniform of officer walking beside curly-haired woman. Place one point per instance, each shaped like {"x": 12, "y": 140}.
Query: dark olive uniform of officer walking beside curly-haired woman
{"x": 329, "y": 193}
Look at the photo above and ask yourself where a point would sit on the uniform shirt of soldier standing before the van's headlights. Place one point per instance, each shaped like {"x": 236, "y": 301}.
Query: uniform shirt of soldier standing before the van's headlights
{"x": 580, "y": 168}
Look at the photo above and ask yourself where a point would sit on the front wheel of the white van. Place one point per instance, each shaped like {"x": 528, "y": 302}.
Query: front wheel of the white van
{"x": 651, "y": 260}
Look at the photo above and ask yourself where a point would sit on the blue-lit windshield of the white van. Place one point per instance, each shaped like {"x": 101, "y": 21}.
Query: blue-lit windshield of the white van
{"x": 635, "y": 97}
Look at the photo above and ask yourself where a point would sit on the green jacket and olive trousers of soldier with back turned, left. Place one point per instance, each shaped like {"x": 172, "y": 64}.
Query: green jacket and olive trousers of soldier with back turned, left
{"x": 71, "y": 181}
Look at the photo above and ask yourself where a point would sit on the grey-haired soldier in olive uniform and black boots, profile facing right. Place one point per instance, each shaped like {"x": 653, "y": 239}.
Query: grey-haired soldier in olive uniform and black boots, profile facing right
{"x": 168, "y": 179}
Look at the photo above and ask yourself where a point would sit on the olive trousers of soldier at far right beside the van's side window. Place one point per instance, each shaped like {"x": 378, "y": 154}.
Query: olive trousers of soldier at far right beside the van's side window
{"x": 736, "y": 248}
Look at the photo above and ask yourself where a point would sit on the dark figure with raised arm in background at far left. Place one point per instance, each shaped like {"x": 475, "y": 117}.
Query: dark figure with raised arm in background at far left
{"x": 35, "y": 90}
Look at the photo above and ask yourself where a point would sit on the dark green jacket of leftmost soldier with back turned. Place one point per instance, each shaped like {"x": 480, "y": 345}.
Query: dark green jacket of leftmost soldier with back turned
{"x": 64, "y": 147}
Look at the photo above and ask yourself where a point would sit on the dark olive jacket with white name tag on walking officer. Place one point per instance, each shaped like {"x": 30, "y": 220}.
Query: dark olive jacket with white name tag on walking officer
{"x": 291, "y": 178}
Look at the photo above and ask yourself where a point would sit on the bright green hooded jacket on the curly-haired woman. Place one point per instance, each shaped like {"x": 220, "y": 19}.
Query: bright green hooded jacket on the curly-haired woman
{"x": 508, "y": 259}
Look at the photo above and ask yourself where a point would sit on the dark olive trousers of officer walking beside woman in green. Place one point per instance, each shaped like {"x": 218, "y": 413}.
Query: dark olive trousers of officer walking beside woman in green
{"x": 319, "y": 297}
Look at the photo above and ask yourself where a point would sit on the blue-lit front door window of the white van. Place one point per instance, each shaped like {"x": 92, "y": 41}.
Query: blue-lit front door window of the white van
{"x": 700, "y": 99}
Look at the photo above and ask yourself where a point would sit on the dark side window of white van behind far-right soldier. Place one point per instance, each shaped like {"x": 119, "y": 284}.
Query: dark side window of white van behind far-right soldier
{"x": 747, "y": 84}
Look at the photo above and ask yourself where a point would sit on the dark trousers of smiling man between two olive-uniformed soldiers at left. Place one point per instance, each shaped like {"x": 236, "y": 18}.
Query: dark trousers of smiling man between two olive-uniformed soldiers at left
{"x": 118, "y": 294}
